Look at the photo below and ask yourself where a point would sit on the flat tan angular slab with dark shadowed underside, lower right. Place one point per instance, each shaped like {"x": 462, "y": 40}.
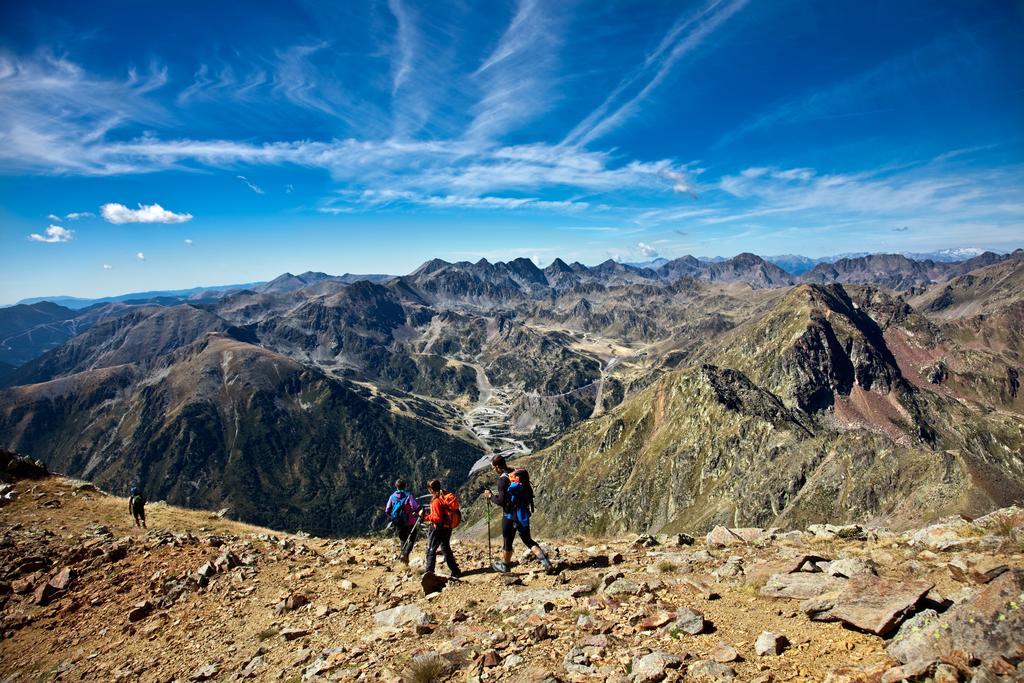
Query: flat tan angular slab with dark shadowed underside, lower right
{"x": 871, "y": 604}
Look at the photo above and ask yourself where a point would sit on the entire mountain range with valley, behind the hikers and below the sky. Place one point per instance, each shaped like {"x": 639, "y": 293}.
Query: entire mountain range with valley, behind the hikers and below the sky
{"x": 679, "y": 395}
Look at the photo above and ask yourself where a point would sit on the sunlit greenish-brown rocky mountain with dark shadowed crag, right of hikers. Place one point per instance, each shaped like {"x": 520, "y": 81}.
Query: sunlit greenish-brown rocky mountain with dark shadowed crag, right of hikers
{"x": 818, "y": 411}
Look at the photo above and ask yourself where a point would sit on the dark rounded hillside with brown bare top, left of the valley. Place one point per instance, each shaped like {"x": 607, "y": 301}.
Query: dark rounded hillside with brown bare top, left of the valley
{"x": 222, "y": 423}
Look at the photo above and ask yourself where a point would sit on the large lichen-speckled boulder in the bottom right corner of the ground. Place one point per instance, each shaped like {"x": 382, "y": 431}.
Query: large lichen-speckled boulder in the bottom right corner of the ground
{"x": 988, "y": 627}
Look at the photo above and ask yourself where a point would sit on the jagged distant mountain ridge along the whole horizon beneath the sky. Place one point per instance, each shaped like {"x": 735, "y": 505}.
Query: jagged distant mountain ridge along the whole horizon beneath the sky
{"x": 28, "y": 330}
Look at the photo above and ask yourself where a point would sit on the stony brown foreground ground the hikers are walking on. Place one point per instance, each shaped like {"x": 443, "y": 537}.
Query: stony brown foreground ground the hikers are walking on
{"x": 84, "y": 595}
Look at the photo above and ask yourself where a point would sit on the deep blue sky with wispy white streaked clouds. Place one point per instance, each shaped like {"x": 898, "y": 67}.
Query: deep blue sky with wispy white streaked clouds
{"x": 155, "y": 146}
